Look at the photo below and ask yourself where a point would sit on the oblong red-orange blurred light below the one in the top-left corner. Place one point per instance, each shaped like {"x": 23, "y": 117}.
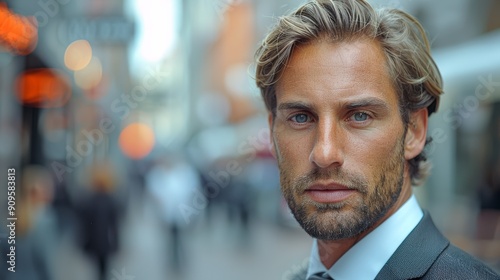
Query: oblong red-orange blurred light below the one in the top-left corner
{"x": 44, "y": 87}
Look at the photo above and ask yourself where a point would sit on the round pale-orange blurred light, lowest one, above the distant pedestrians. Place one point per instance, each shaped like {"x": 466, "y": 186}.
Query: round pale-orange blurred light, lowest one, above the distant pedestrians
{"x": 137, "y": 140}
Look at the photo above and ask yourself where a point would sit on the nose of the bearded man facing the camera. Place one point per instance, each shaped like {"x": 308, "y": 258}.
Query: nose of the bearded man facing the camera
{"x": 328, "y": 147}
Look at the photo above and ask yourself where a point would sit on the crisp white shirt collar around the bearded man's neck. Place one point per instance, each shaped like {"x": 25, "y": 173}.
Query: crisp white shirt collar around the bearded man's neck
{"x": 381, "y": 243}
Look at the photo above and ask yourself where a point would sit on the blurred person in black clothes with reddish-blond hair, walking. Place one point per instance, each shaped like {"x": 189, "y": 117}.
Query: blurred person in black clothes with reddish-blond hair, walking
{"x": 99, "y": 218}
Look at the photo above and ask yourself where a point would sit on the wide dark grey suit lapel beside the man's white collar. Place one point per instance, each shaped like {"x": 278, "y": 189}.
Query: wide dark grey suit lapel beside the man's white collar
{"x": 417, "y": 252}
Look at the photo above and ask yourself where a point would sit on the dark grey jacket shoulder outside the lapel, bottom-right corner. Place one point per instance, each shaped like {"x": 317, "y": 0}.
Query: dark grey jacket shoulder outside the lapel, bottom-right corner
{"x": 453, "y": 263}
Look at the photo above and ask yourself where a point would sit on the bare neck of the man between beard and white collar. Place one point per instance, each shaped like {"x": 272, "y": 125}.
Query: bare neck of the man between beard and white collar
{"x": 330, "y": 251}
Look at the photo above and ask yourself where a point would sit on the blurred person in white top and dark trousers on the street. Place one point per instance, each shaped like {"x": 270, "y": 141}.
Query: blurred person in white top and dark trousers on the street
{"x": 173, "y": 183}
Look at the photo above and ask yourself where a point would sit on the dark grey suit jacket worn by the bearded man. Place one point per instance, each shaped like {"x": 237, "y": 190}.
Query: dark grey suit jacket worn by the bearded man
{"x": 427, "y": 254}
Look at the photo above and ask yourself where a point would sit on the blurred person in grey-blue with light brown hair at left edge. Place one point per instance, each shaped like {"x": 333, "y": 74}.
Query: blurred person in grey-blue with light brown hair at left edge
{"x": 36, "y": 228}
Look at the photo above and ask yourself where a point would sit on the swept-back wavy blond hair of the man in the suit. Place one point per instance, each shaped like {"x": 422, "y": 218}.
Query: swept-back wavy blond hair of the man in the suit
{"x": 414, "y": 73}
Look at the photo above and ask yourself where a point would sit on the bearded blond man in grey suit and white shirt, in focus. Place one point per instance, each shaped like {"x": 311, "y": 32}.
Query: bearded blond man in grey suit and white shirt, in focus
{"x": 349, "y": 91}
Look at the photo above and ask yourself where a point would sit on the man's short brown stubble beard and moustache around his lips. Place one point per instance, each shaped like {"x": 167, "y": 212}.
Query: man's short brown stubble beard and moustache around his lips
{"x": 335, "y": 221}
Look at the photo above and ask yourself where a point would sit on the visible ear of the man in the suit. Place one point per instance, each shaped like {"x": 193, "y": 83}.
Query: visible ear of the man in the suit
{"x": 416, "y": 133}
